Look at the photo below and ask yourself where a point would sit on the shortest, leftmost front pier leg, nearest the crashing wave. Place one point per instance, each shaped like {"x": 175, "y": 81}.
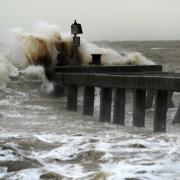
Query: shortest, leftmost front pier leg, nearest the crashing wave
{"x": 72, "y": 98}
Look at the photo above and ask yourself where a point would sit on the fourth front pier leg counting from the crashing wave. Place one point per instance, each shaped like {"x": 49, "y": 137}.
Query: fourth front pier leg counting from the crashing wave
{"x": 119, "y": 106}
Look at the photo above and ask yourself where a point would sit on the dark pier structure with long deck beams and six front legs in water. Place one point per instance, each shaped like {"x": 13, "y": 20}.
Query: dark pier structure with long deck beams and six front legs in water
{"x": 124, "y": 78}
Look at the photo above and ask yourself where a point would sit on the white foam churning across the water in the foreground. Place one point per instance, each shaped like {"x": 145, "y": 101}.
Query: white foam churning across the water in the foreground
{"x": 159, "y": 159}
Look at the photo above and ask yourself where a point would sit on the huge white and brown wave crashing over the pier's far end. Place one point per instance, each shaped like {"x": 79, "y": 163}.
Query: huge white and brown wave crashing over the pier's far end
{"x": 22, "y": 53}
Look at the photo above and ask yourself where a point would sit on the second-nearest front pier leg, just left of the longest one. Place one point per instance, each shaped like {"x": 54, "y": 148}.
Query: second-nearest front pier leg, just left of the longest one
{"x": 139, "y": 103}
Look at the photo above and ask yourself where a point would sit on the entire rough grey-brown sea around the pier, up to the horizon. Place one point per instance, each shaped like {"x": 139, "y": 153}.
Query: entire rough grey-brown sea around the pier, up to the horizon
{"x": 40, "y": 139}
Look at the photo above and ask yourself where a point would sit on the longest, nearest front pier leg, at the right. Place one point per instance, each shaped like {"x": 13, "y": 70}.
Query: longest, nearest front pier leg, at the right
{"x": 160, "y": 111}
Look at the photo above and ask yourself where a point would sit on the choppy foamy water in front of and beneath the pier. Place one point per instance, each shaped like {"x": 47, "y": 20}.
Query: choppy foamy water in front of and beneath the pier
{"x": 40, "y": 139}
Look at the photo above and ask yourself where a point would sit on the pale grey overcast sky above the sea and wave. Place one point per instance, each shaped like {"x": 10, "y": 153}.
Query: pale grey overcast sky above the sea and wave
{"x": 100, "y": 19}
